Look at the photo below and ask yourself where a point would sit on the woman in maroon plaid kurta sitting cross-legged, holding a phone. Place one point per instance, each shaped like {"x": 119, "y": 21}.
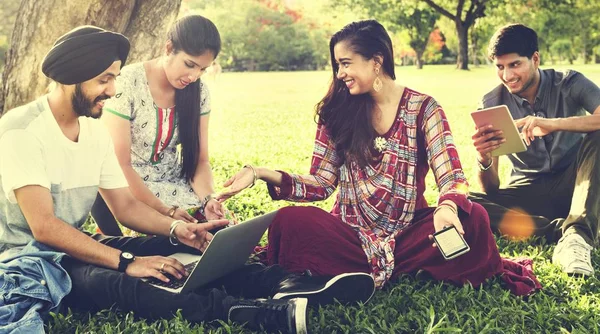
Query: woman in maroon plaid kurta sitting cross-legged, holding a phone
{"x": 376, "y": 141}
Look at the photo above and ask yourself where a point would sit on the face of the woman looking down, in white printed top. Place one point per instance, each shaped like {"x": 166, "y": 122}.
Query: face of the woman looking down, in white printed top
{"x": 182, "y": 69}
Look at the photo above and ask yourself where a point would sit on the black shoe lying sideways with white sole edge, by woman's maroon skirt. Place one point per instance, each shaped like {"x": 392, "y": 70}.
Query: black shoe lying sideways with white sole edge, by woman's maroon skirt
{"x": 345, "y": 288}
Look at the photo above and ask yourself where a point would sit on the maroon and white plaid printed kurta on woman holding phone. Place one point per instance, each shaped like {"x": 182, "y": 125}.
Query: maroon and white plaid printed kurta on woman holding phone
{"x": 379, "y": 201}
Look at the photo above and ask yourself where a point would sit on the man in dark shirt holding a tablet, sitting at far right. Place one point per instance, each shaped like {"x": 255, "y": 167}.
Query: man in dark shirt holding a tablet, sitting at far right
{"x": 554, "y": 186}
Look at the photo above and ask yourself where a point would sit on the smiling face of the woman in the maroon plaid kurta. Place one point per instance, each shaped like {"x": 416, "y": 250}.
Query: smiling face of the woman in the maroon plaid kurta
{"x": 354, "y": 70}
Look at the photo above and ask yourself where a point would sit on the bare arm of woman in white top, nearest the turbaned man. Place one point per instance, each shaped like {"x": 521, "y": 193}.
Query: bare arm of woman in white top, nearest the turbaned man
{"x": 119, "y": 129}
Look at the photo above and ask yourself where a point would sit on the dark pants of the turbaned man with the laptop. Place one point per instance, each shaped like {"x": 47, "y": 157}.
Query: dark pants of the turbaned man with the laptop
{"x": 96, "y": 288}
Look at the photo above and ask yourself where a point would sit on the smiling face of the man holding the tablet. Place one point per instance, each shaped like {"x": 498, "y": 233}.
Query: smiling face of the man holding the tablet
{"x": 519, "y": 74}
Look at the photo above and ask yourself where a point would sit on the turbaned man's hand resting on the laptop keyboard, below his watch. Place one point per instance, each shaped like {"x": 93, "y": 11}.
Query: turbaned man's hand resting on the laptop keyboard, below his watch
{"x": 155, "y": 266}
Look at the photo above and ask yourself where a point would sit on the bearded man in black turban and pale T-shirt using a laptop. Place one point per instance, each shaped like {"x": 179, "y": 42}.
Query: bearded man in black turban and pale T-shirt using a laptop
{"x": 55, "y": 157}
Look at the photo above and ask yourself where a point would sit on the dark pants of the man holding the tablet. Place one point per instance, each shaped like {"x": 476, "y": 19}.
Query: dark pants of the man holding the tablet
{"x": 554, "y": 203}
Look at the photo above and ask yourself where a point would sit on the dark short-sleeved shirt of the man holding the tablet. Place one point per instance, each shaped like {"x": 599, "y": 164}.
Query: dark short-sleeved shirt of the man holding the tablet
{"x": 560, "y": 94}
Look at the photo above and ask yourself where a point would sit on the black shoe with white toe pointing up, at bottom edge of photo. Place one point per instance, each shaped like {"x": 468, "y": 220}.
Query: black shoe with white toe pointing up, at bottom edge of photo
{"x": 287, "y": 316}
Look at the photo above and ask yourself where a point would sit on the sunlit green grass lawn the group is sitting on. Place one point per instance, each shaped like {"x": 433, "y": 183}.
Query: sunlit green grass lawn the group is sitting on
{"x": 267, "y": 119}
